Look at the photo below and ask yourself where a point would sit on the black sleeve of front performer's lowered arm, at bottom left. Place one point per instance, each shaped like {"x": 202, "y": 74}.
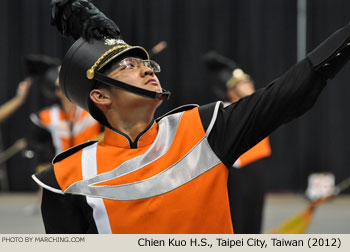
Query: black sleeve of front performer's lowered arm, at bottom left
{"x": 66, "y": 214}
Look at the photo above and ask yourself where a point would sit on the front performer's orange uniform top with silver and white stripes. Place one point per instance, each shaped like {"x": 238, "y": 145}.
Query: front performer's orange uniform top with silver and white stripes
{"x": 167, "y": 180}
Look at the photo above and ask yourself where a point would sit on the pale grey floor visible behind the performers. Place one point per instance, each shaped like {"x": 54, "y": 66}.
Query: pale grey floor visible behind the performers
{"x": 18, "y": 214}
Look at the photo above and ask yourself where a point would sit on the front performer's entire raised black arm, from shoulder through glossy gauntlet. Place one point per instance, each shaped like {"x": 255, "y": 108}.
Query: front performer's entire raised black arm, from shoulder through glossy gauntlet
{"x": 243, "y": 124}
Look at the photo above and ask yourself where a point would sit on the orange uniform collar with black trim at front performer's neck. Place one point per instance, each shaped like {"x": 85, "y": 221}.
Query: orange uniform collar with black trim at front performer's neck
{"x": 119, "y": 139}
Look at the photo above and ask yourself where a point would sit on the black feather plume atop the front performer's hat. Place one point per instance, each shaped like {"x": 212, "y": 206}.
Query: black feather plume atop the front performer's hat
{"x": 80, "y": 18}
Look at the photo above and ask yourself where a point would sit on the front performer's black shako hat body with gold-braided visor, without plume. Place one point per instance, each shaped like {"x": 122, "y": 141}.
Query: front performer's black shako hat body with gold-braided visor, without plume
{"x": 84, "y": 59}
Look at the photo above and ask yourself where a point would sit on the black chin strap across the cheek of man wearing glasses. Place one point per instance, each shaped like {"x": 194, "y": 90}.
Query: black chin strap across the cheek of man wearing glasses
{"x": 136, "y": 90}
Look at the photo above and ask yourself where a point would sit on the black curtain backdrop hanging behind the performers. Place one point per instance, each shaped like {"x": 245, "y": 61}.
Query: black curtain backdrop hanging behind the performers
{"x": 259, "y": 35}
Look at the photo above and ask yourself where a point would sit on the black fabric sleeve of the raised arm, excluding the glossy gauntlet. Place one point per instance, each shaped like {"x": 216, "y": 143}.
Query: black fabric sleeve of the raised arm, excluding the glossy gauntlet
{"x": 241, "y": 125}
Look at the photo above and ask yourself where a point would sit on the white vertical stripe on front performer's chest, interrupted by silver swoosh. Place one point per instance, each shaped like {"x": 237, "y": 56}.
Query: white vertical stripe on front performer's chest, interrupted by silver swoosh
{"x": 89, "y": 169}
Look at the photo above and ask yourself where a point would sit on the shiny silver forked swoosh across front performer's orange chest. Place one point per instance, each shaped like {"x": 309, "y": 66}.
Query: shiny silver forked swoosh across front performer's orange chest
{"x": 197, "y": 161}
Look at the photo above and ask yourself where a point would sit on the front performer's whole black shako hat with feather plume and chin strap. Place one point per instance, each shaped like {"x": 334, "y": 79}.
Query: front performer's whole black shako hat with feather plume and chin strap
{"x": 98, "y": 44}
